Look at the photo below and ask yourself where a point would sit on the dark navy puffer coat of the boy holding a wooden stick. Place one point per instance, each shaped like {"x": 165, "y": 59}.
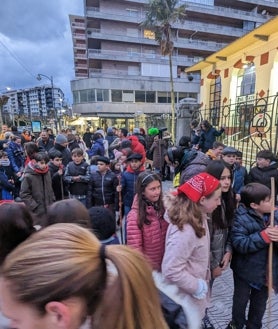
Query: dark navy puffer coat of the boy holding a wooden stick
{"x": 250, "y": 251}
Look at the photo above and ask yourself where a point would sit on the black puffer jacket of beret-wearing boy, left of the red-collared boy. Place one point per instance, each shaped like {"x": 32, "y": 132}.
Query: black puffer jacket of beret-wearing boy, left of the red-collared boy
{"x": 102, "y": 189}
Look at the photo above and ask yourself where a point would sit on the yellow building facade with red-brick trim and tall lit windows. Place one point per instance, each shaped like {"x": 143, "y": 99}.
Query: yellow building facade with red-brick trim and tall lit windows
{"x": 239, "y": 89}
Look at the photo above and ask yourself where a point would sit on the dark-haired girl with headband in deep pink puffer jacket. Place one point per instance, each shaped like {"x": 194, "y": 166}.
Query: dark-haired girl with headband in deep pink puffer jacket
{"x": 146, "y": 228}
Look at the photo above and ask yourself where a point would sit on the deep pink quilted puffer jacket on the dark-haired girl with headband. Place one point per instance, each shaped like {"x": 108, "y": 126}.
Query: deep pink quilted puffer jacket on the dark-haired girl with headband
{"x": 150, "y": 240}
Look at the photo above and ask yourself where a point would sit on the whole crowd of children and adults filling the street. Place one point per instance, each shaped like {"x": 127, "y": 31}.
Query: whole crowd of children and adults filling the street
{"x": 84, "y": 221}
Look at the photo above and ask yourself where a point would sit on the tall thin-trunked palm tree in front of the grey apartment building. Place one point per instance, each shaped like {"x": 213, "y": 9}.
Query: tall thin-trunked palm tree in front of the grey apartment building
{"x": 161, "y": 15}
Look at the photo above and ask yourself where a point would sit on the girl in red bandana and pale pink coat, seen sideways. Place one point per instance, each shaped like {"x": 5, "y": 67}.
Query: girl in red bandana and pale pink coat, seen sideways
{"x": 186, "y": 260}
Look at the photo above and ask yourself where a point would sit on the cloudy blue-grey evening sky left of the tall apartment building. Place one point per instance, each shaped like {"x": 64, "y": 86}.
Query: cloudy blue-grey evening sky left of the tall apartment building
{"x": 35, "y": 37}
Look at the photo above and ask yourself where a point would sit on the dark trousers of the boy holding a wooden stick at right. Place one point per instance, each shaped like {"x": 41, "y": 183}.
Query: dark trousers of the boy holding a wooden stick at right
{"x": 243, "y": 293}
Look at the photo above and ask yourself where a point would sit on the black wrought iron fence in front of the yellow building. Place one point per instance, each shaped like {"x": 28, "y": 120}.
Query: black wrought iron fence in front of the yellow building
{"x": 251, "y": 124}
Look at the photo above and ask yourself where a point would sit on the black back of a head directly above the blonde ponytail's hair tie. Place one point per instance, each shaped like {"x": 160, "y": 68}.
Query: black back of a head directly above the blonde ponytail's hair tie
{"x": 102, "y": 222}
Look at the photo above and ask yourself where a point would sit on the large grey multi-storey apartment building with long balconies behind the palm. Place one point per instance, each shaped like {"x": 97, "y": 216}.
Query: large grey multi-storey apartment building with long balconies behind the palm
{"x": 121, "y": 77}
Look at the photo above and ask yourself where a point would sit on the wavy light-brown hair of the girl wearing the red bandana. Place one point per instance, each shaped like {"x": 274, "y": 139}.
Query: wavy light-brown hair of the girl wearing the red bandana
{"x": 182, "y": 210}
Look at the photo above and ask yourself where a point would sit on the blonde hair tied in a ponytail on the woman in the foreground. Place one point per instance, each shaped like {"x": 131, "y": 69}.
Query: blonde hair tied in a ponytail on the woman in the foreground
{"x": 66, "y": 260}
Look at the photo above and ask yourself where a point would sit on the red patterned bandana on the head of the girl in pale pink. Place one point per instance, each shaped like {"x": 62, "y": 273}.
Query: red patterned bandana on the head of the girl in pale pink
{"x": 202, "y": 184}
